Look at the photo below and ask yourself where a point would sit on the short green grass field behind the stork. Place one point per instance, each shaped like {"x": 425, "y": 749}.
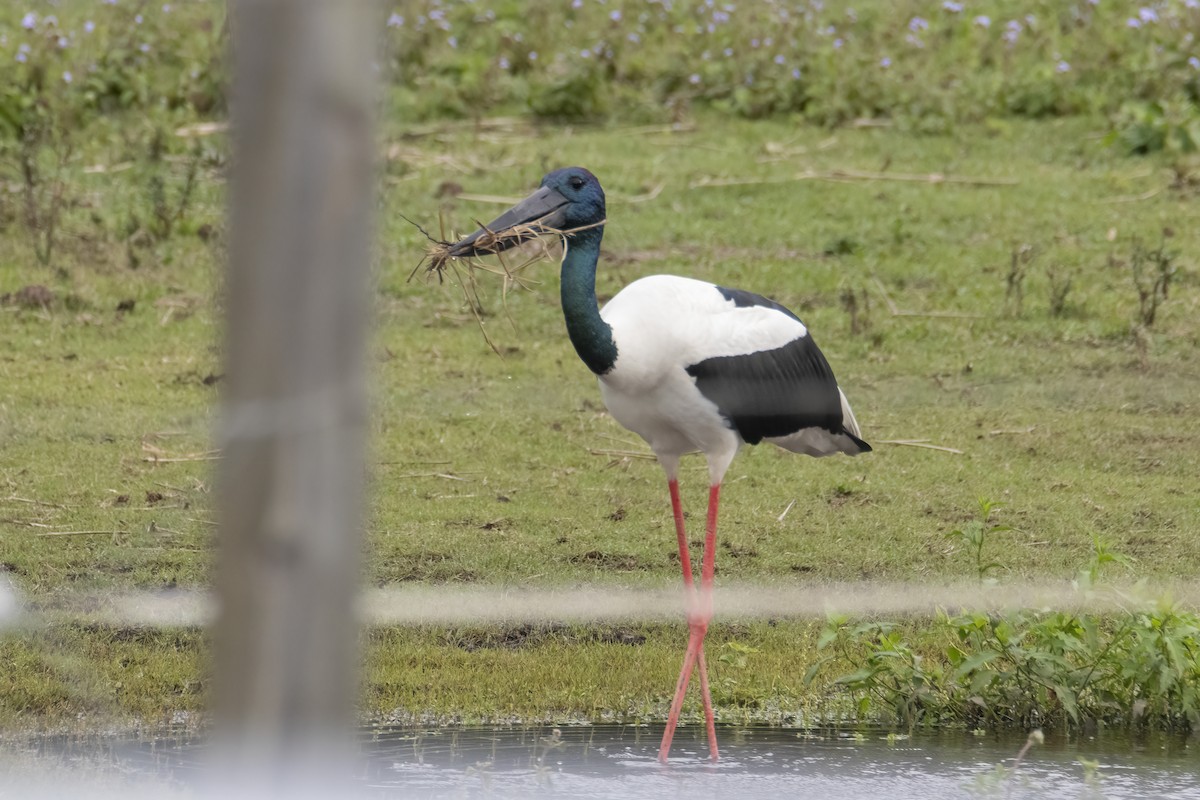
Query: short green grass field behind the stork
{"x": 485, "y": 470}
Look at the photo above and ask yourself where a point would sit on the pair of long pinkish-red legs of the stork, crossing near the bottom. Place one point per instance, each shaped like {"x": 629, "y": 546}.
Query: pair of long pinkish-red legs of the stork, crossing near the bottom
{"x": 699, "y": 616}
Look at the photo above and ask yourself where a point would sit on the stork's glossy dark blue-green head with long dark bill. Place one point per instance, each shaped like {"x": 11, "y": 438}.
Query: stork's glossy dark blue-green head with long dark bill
{"x": 568, "y": 199}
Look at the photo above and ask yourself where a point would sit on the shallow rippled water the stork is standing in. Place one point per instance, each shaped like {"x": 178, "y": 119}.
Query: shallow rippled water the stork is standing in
{"x": 621, "y": 762}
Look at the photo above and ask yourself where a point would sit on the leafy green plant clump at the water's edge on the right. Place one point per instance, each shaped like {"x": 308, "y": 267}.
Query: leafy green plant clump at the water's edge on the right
{"x": 1028, "y": 667}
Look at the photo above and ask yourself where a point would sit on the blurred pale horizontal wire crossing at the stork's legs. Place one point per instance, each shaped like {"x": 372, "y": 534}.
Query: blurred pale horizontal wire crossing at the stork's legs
{"x": 443, "y": 605}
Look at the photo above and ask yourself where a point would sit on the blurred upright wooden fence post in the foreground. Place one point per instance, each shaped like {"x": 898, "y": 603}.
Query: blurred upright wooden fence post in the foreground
{"x": 292, "y": 429}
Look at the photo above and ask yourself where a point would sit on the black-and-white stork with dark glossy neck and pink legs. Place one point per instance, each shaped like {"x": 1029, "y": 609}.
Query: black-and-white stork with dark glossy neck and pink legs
{"x": 688, "y": 366}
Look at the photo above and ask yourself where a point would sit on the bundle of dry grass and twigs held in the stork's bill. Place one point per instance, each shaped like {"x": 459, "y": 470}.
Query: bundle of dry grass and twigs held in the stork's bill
{"x": 533, "y": 242}
